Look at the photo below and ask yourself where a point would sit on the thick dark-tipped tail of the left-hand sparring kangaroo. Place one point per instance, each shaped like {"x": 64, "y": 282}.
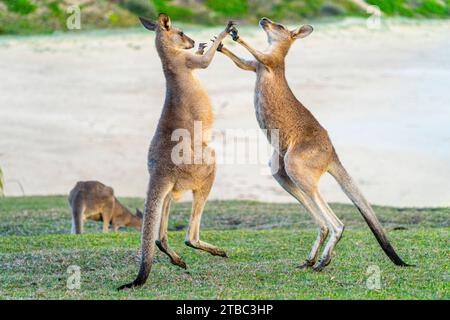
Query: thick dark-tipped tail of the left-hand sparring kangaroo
{"x": 152, "y": 218}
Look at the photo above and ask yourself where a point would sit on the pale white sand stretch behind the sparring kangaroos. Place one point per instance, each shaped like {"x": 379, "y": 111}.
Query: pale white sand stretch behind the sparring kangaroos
{"x": 77, "y": 107}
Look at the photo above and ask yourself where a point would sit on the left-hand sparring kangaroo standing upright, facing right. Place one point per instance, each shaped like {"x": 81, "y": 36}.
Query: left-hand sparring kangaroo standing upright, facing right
{"x": 186, "y": 105}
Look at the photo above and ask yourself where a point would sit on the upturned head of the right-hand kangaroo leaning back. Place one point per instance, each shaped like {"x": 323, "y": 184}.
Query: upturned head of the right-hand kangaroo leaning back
{"x": 280, "y": 37}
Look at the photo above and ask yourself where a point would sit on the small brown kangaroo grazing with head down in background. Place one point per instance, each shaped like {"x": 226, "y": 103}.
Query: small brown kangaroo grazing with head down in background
{"x": 94, "y": 201}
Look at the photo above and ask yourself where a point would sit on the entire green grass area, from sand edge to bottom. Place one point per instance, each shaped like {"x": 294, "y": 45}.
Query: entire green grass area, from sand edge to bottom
{"x": 265, "y": 243}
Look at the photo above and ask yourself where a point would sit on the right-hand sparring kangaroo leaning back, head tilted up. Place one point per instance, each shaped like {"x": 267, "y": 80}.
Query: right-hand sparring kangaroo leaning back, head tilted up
{"x": 304, "y": 151}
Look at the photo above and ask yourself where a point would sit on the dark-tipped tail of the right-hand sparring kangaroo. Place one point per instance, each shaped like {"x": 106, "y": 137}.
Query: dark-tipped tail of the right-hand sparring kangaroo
{"x": 351, "y": 190}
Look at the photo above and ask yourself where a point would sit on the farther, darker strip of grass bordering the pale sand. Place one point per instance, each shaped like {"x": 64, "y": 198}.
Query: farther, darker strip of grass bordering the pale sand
{"x": 51, "y": 215}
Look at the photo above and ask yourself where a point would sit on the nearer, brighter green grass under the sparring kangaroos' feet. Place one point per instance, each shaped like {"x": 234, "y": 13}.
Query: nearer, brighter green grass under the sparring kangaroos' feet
{"x": 261, "y": 265}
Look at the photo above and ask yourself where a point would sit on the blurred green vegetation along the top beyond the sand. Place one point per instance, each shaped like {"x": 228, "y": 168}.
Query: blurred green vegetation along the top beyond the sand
{"x": 46, "y": 16}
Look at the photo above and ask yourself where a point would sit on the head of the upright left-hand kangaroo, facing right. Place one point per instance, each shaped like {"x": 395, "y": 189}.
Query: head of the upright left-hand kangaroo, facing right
{"x": 166, "y": 34}
